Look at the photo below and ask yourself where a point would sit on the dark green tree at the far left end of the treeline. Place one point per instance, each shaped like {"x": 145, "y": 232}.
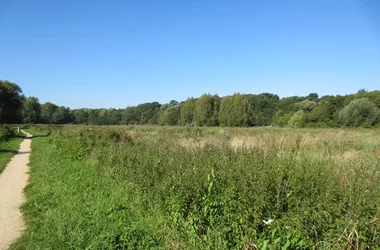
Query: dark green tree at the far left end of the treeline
{"x": 10, "y": 102}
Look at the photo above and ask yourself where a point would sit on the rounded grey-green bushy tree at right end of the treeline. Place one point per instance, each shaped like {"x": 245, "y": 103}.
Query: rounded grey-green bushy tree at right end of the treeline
{"x": 359, "y": 112}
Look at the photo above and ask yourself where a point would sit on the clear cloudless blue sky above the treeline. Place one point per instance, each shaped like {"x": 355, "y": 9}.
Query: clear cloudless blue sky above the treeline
{"x": 120, "y": 53}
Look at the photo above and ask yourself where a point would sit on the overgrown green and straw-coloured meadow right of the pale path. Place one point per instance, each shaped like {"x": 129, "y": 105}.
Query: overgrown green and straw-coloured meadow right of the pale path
{"x": 147, "y": 187}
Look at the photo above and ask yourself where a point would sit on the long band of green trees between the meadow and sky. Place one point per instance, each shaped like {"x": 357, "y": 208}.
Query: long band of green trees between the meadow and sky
{"x": 361, "y": 109}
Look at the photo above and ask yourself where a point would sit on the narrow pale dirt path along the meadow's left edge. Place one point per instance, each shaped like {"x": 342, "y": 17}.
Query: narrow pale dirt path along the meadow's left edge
{"x": 12, "y": 183}
